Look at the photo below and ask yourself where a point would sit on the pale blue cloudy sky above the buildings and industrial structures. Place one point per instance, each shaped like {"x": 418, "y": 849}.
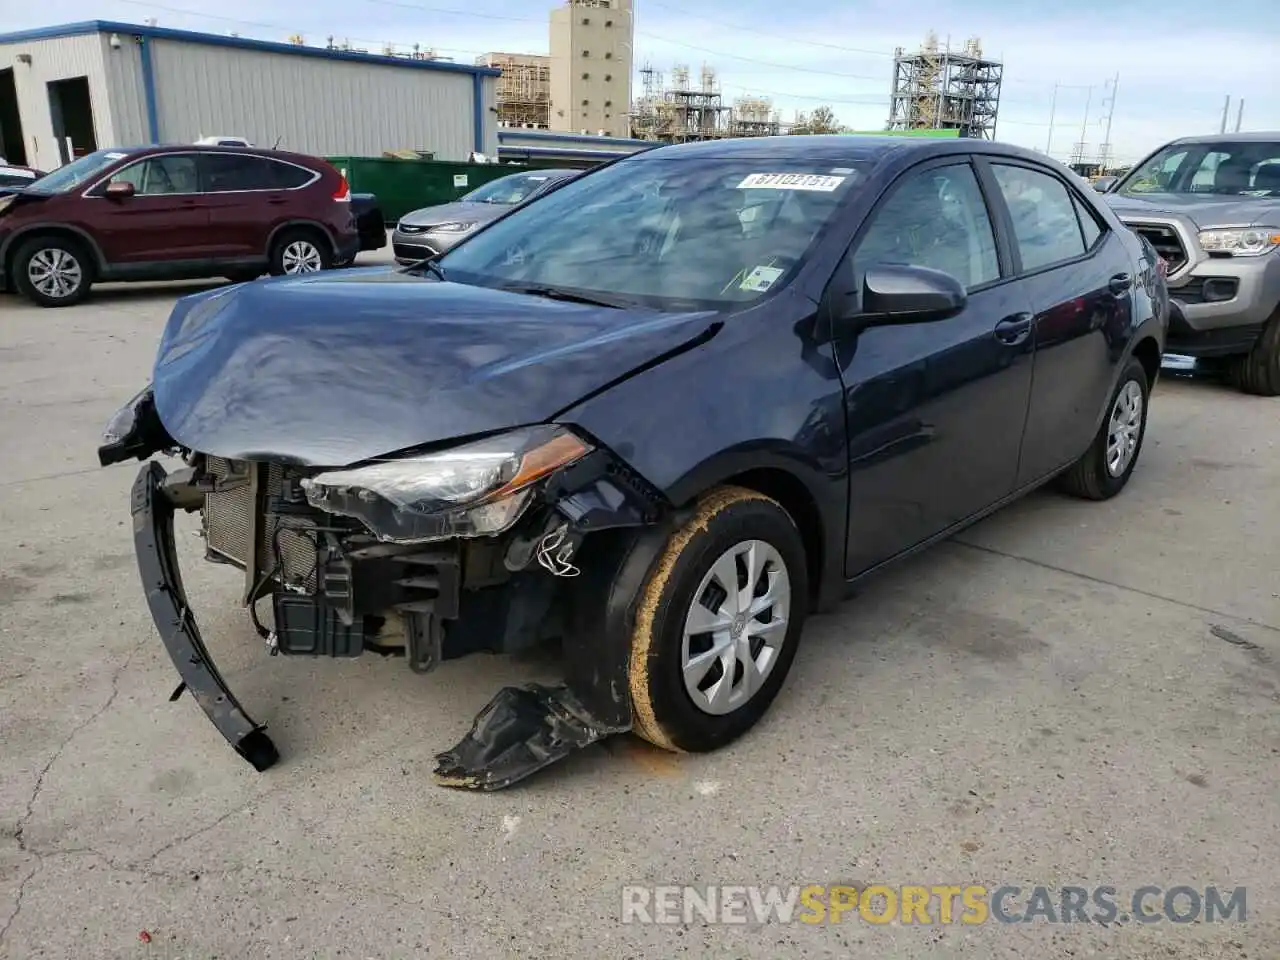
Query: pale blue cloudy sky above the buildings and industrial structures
{"x": 1177, "y": 60}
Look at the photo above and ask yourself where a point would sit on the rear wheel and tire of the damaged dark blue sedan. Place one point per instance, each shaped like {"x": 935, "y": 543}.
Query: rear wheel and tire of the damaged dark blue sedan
{"x": 1107, "y": 467}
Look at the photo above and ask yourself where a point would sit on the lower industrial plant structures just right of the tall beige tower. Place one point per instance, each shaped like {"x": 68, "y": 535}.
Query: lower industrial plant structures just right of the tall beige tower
{"x": 684, "y": 113}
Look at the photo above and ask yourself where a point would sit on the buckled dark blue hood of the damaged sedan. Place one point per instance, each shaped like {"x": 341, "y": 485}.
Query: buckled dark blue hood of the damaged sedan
{"x": 344, "y": 367}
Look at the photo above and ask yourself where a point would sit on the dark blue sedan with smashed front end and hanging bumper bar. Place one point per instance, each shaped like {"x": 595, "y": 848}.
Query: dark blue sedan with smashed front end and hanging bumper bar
{"x": 666, "y": 449}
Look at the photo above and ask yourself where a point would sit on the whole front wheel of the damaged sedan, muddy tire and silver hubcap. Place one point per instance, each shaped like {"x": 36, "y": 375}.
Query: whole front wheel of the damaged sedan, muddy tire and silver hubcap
{"x": 719, "y": 623}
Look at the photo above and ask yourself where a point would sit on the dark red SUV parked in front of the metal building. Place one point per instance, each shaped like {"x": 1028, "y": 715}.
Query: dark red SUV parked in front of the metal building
{"x": 173, "y": 214}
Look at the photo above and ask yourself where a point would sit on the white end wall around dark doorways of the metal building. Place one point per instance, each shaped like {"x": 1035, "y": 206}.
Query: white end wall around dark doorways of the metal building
{"x": 54, "y": 61}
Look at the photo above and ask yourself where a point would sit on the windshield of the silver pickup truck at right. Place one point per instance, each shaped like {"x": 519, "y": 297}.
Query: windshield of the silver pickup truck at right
{"x": 1235, "y": 170}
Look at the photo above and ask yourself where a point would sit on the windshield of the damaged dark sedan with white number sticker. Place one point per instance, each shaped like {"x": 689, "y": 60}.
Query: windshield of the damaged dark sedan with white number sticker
{"x": 664, "y": 231}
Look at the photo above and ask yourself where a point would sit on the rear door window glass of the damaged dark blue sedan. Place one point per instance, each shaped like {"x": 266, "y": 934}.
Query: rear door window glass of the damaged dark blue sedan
{"x": 1045, "y": 220}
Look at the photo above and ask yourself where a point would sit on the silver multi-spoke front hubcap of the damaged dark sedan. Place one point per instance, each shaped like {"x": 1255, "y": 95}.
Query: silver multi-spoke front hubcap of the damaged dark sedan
{"x": 735, "y": 628}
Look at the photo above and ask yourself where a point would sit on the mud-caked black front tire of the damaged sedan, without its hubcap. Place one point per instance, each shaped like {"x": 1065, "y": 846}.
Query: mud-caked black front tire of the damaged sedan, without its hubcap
{"x": 664, "y": 711}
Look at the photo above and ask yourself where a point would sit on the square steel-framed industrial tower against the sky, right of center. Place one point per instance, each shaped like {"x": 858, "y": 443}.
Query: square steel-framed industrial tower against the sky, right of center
{"x": 940, "y": 89}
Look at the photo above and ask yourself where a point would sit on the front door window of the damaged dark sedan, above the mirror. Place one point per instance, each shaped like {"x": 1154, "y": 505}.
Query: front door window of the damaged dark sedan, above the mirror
{"x": 935, "y": 220}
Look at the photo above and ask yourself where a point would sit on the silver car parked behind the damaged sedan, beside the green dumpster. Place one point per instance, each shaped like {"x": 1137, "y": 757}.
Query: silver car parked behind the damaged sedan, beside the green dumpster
{"x": 436, "y": 230}
